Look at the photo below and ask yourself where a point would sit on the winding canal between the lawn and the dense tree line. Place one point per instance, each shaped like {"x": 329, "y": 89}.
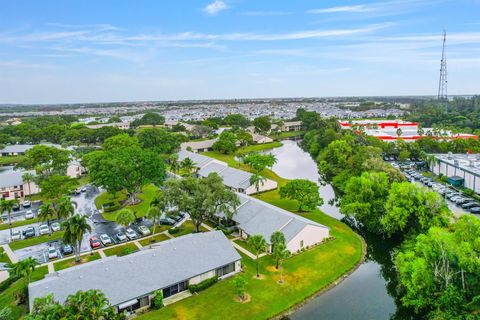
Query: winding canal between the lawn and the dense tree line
{"x": 368, "y": 293}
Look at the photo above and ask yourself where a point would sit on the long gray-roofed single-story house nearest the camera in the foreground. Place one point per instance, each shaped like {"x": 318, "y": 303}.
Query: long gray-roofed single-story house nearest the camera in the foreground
{"x": 130, "y": 282}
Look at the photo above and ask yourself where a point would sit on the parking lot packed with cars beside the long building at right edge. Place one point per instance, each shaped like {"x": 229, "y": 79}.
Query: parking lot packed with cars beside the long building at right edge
{"x": 458, "y": 203}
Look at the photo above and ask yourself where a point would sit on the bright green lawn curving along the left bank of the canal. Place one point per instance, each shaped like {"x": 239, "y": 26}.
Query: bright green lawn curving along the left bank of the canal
{"x": 304, "y": 274}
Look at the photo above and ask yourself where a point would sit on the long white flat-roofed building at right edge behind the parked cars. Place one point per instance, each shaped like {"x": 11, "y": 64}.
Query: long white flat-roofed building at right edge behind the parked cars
{"x": 464, "y": 169}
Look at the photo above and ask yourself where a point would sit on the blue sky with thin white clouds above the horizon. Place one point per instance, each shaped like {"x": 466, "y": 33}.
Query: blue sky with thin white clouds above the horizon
{"x": 114, "y": 50}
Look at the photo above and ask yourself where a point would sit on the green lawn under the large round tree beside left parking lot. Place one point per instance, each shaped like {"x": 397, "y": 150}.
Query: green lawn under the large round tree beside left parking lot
{"x": 140, "y": 209}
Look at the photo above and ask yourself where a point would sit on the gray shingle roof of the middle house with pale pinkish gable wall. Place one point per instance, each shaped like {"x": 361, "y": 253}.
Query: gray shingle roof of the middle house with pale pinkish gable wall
{"x": 257, "y": 217}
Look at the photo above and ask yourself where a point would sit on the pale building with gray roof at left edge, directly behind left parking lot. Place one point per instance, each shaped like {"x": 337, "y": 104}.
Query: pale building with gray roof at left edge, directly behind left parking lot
{"x": 12, "y": 185}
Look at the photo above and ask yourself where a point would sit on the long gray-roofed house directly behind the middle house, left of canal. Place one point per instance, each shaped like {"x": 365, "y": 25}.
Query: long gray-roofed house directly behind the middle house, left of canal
{"x": 237, "y": 180}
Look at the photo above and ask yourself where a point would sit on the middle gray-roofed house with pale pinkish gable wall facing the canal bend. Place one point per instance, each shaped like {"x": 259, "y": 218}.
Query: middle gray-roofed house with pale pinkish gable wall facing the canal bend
{"x": 258, "y": 217}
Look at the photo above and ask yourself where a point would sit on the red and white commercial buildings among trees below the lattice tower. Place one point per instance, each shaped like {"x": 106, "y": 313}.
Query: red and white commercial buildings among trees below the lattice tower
{"x": 392, "y": 130}
